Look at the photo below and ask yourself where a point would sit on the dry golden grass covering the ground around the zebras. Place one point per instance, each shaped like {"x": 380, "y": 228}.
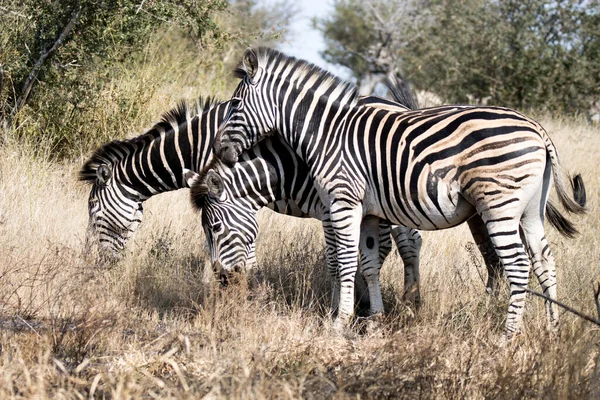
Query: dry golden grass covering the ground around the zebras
{"x": 150, "y": 327}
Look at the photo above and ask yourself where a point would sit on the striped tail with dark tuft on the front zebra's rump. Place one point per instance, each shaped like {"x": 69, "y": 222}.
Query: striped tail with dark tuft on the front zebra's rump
{"x": 577, "y": 204}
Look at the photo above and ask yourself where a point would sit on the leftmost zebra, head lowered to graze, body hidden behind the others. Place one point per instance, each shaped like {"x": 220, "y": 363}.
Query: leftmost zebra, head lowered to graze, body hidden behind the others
{"x": 123, "y": 174}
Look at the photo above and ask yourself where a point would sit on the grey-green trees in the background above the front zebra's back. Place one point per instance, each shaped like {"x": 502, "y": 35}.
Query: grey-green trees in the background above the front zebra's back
{"x": 535, "y": 54}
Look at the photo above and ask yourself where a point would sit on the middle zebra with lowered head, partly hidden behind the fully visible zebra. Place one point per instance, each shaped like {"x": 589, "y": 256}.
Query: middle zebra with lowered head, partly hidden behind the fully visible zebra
{"x": 229, "y": 199}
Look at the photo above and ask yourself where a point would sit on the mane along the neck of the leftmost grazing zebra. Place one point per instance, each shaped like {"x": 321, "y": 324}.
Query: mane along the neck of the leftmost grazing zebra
{"x": 116, "y": 150}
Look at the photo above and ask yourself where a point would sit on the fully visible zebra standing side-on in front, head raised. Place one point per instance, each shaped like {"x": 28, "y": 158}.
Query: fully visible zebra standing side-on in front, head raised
{"x": 427, "y": 169}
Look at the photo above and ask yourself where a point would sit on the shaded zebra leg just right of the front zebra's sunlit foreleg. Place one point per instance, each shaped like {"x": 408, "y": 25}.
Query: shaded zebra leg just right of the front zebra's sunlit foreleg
{"x": 370, "y": 261}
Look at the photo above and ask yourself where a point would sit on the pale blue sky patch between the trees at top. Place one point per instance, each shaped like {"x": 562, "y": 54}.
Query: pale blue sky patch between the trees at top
{"x": 303, "y": 40}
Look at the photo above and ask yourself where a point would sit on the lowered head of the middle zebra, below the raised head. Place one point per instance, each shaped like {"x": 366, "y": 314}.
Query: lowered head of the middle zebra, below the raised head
{"x": 230, "y": 226}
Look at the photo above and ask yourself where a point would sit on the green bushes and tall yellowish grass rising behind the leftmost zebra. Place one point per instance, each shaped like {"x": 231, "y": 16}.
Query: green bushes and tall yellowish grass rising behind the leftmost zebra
{"x": 106, "y": 68}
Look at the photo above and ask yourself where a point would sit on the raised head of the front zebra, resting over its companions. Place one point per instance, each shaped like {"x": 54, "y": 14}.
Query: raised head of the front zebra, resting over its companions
{"x": 250, "y": 118}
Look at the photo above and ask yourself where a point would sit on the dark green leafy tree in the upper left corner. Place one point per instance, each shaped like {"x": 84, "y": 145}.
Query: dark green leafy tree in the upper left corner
{"x": 61, "y": 34}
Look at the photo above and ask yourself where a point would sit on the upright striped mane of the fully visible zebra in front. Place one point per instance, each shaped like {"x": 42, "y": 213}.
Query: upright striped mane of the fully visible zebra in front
{"x": 269, "y": 59}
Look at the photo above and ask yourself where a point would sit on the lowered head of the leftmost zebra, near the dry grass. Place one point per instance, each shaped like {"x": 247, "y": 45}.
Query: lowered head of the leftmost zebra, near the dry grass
{"x": 115, "y": 213}
